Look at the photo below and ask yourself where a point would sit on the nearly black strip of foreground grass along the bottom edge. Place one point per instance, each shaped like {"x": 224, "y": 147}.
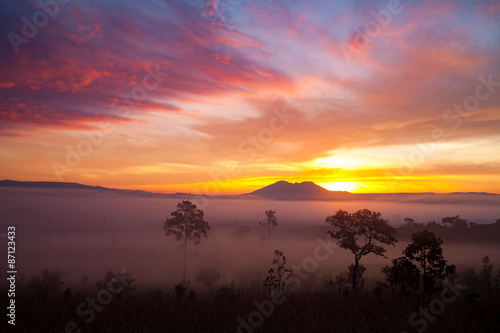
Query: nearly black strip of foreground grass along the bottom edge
{"x": 302, "y": 311}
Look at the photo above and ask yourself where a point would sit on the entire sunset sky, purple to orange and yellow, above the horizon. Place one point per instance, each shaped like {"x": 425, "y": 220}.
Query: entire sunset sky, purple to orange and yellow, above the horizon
{"x": 224, "y": 97}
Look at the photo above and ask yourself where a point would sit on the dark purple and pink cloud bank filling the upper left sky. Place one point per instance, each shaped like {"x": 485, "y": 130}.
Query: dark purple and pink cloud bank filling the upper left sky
{"x": 89, "y": 55}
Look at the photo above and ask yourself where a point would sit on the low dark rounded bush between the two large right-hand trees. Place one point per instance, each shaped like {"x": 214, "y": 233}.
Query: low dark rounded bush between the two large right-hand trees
{"x": 402, "y": 275}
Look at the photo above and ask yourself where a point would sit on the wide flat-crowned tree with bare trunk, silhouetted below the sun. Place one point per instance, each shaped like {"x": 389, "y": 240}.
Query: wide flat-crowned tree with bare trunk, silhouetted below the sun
{"x": 359, "y": 232}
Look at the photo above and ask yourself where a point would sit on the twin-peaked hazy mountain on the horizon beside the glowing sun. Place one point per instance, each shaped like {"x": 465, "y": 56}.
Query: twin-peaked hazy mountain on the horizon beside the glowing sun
{"x": 284, "y": 190}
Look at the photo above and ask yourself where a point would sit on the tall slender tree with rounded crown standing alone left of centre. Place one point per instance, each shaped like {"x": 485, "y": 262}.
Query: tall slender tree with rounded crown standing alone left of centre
{"x": 186, "y": 224}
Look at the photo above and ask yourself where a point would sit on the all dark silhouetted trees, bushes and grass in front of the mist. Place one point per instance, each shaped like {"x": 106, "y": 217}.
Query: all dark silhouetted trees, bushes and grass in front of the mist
{"x": 387, "y": 306}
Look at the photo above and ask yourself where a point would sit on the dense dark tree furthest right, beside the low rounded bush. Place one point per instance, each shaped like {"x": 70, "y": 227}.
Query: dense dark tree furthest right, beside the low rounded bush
{"x": 425, "y": 249}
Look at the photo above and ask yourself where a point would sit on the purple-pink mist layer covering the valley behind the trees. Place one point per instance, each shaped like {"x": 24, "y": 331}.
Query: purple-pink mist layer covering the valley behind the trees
{"x": 90, "y": 232}
